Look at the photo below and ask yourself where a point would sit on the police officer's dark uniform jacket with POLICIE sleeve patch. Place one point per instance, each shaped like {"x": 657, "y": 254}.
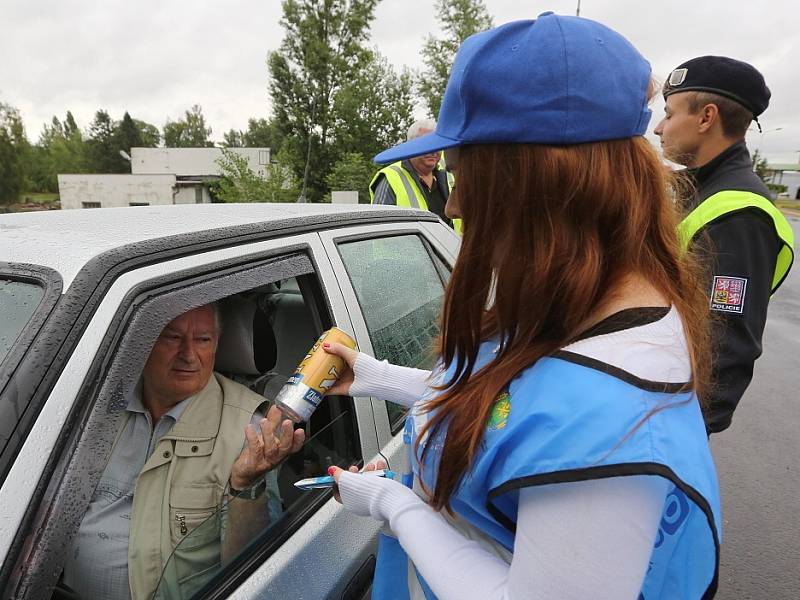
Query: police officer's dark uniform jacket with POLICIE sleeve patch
{"x": 741, "y": 253}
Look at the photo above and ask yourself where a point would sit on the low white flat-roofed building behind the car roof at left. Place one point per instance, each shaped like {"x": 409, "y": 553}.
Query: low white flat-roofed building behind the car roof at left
{"x": 158, "y": 176}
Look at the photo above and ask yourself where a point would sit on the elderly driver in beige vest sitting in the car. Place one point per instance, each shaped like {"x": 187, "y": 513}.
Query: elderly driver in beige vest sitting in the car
{"x": 178, "y": 457}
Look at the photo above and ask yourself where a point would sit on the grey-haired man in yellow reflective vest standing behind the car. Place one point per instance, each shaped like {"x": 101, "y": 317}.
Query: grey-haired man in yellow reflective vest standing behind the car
{"x": 418, "y": 182}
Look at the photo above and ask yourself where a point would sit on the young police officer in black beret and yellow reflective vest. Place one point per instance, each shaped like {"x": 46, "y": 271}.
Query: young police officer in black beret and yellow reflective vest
{"x": 710, "y": 103}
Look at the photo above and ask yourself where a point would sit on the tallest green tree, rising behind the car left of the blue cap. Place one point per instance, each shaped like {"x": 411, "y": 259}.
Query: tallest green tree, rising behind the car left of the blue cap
{"x": 322, "y": 49}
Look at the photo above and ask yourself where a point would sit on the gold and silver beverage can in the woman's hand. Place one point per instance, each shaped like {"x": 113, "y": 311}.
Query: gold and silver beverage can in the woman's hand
{"x": 314, "y": 376}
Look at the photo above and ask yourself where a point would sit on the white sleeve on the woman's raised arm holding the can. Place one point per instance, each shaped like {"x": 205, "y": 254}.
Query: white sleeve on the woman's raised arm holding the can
{"x": 383, "y": 380}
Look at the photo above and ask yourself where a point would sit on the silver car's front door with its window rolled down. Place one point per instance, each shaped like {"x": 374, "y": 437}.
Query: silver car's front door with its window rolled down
{"x": 56, "y": 473}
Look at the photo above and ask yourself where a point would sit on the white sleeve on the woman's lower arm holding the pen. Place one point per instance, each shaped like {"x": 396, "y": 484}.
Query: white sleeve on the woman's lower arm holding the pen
{"x": 588, "y": 539}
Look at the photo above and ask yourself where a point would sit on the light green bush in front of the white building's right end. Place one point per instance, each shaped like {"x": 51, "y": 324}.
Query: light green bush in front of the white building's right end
{"x": 239, "y": 183}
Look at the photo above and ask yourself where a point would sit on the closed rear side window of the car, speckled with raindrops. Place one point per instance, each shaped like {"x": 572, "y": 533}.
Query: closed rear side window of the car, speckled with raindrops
{"x": 399, "y": 283}
